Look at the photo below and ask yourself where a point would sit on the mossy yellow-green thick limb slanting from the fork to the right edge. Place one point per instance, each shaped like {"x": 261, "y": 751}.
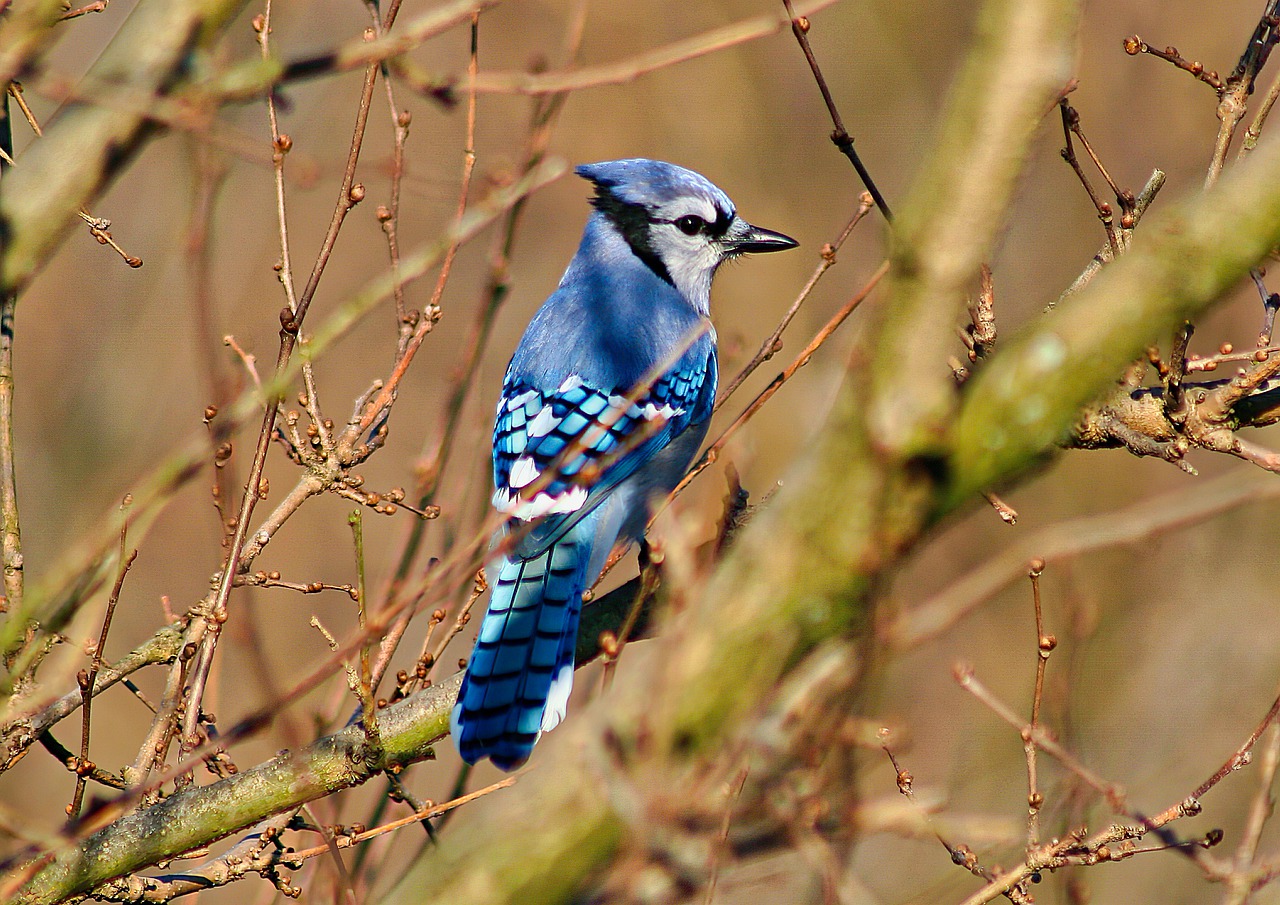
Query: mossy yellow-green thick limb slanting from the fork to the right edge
{"x": 1183, "y": 260}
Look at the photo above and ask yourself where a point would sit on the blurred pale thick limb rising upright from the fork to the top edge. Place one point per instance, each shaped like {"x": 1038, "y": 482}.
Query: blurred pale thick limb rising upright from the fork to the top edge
{"x": 1021, "y": 63}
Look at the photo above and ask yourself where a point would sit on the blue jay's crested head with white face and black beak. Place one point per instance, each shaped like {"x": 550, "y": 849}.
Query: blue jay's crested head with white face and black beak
{"x": 676, "y": 222}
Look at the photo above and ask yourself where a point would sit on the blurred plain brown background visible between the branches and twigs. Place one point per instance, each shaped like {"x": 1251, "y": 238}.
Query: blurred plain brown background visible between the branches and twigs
{"x": 1168, "y": 647}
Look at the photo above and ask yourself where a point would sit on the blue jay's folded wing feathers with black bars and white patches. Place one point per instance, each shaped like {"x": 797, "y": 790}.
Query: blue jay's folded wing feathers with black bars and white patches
{"x": 534, "y": 429}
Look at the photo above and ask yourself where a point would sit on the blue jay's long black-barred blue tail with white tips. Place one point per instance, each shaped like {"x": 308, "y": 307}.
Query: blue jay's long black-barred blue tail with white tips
{"x": 522, "y": 670}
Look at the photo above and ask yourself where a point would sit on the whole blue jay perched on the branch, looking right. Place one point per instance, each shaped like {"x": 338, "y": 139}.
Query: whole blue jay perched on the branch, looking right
{"x": 605, "y": 405}
